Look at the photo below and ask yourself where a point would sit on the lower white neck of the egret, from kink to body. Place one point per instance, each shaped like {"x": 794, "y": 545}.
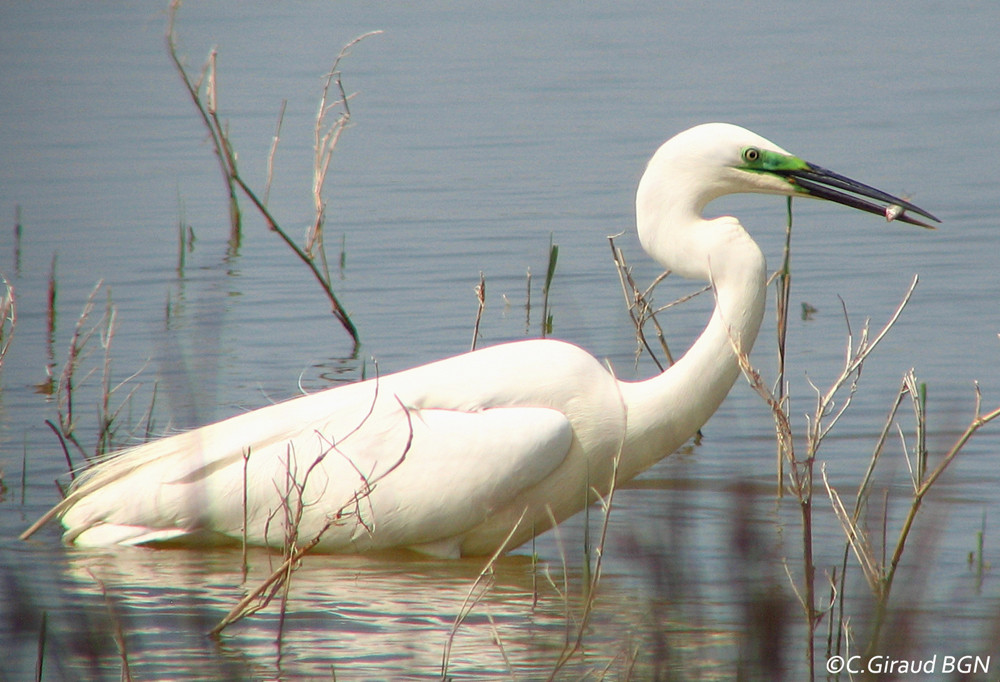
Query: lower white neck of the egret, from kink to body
{"x": 666, "y": 410}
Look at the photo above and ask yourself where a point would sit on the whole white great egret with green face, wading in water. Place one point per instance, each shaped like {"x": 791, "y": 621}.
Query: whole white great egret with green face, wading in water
{"x": 452, "y": 457}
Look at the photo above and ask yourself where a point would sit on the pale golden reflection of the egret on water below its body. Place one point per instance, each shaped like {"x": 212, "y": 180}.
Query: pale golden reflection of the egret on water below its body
{"x": 359, "y": 618}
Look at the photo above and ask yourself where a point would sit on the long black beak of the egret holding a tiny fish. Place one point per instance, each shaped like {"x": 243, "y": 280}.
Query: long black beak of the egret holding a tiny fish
{"x": 823, "y": 184}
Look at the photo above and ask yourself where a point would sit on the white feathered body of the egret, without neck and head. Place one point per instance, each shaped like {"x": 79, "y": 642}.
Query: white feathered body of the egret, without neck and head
{"x": 429, "y": 458}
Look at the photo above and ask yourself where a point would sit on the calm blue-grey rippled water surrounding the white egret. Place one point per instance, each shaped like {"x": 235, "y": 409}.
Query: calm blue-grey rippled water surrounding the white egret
{"x": 480, "y": 133}
